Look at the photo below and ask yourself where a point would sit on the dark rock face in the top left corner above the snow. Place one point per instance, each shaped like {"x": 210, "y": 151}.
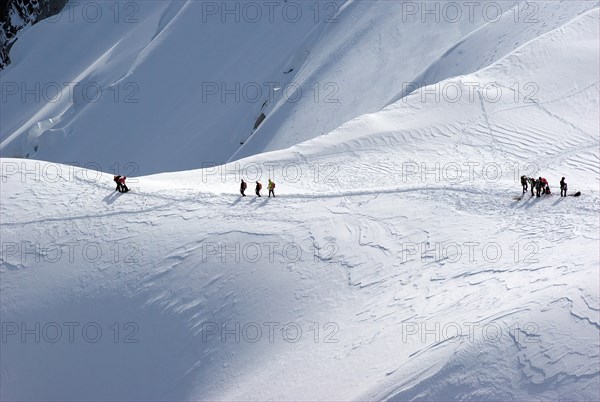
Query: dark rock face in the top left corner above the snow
{"x": 17, "y": 14}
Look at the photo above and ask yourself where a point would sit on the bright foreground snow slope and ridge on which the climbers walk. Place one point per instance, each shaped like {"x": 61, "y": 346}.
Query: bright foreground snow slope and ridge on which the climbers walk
{"x": 369, "y": 276}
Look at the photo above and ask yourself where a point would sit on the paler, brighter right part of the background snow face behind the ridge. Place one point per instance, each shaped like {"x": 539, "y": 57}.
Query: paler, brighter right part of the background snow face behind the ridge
{"x": 382, "y": 51}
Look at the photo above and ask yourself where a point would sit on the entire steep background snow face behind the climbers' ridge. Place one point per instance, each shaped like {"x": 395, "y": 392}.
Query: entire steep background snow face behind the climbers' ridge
{"x": 181, "y": 85}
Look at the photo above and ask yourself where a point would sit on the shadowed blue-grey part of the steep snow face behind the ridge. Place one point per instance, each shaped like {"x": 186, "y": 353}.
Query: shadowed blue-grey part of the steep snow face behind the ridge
{"x": 169, "y": 85}
